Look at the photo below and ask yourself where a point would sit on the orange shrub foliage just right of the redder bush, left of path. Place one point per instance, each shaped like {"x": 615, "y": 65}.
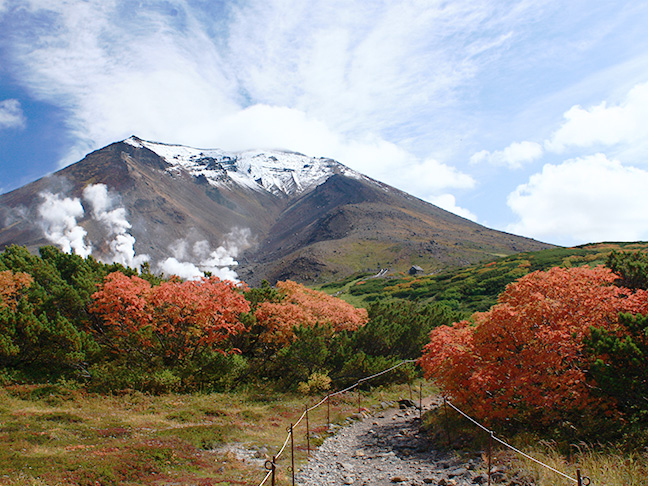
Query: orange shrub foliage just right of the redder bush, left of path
{"x": 303, "y": 306}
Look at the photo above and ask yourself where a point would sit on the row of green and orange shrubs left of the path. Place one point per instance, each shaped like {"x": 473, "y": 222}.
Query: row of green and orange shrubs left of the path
{"x": 108, "y": 327}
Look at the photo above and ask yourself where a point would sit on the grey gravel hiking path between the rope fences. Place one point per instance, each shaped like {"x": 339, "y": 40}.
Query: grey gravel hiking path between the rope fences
{"x": 387, "y": 448}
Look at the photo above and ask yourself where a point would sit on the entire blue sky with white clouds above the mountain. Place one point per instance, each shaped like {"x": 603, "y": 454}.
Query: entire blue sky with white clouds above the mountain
{"x": 525, "y": 116}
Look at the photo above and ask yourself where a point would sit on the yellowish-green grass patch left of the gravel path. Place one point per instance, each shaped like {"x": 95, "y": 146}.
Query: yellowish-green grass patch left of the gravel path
{"x": 65, "y": 437}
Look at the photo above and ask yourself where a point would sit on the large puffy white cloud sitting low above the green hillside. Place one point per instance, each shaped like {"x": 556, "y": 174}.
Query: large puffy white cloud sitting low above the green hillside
{"x": 583, "y": 200}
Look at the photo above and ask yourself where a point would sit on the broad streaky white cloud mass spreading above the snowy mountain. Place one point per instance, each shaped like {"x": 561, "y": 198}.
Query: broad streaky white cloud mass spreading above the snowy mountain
{"x": 362, "y": 78}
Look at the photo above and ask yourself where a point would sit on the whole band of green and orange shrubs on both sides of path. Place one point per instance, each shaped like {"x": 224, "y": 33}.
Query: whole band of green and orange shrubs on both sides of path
{"x": 563, "y": 349}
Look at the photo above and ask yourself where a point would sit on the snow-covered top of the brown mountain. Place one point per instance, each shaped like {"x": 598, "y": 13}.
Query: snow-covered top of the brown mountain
{"x": 274, "y": 171}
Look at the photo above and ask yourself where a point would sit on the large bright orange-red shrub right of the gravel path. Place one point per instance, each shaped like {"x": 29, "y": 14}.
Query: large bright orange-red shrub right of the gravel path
{"x": 524, "y": 357}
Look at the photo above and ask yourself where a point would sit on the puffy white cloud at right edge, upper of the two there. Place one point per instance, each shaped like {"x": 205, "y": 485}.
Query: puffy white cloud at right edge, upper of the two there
{"x": 605, "y": 124}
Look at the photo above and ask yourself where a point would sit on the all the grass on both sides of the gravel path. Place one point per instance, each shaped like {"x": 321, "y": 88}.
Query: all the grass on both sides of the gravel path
{"x": 57, "y": 436}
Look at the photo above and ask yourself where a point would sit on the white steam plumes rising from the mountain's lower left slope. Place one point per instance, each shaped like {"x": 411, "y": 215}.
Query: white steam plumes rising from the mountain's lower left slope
{"x": 59, "y": 220}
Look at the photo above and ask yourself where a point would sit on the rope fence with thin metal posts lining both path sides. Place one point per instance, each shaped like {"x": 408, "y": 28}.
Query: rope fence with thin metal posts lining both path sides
{"x": 271, "y": 465}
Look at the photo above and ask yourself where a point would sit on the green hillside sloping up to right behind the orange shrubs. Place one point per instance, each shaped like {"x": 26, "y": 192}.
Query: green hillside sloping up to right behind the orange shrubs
{"x": 473, "y": 288}
